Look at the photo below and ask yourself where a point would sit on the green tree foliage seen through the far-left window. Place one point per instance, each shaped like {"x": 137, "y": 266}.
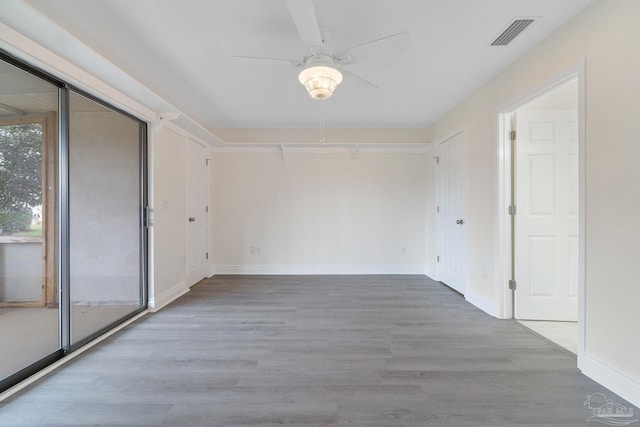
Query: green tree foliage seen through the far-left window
{"x": 20, "y": 174}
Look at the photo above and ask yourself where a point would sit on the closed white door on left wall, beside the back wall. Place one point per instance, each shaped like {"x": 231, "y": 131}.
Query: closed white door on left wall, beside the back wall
{"x": 197, "y": 214}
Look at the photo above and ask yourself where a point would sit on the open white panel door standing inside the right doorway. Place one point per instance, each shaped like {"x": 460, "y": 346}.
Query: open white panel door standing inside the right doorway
{"x": 546, "y": 221}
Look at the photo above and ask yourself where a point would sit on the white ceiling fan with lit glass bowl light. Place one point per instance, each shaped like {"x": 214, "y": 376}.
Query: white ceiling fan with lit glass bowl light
{"x": 322, "y": 71}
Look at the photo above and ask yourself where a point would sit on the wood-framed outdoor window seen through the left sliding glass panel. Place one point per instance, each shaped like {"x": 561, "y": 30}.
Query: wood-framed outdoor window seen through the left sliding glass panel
{"x": 27, "y": 193}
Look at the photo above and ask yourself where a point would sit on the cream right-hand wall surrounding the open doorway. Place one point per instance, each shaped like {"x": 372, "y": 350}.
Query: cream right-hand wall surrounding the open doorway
{"x": 607, "y": 35}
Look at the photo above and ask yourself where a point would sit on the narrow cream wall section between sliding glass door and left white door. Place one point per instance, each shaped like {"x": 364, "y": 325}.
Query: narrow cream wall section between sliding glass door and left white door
{"x": 169, "y": 212}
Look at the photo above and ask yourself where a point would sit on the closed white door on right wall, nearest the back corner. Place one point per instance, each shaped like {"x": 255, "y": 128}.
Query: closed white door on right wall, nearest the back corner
{"x": 451, "y": 196}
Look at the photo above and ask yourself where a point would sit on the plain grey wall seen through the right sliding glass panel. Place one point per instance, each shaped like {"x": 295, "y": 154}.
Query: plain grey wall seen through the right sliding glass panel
{"x": 104, "y": 205}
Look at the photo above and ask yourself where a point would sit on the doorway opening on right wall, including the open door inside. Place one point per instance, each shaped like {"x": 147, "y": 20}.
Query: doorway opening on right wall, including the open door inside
{"x": 542, "y": 185}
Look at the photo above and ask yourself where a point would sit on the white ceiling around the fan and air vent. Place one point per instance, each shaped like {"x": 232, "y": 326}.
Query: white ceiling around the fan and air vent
{"x": 181, "y": 50}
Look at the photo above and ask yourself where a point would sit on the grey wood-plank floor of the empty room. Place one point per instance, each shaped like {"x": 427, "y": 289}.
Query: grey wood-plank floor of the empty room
{"x": 383, "y": 351}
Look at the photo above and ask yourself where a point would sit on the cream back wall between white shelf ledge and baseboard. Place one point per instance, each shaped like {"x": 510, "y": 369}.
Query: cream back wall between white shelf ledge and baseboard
{"x": 319, "y": 212}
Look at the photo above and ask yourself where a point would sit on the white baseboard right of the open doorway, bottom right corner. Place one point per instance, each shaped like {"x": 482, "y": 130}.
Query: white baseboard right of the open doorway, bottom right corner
{"x": 619, "y": 382}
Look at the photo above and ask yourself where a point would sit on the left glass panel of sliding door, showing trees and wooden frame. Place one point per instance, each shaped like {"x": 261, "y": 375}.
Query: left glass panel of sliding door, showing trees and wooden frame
{"x": 28, "y": 215}
